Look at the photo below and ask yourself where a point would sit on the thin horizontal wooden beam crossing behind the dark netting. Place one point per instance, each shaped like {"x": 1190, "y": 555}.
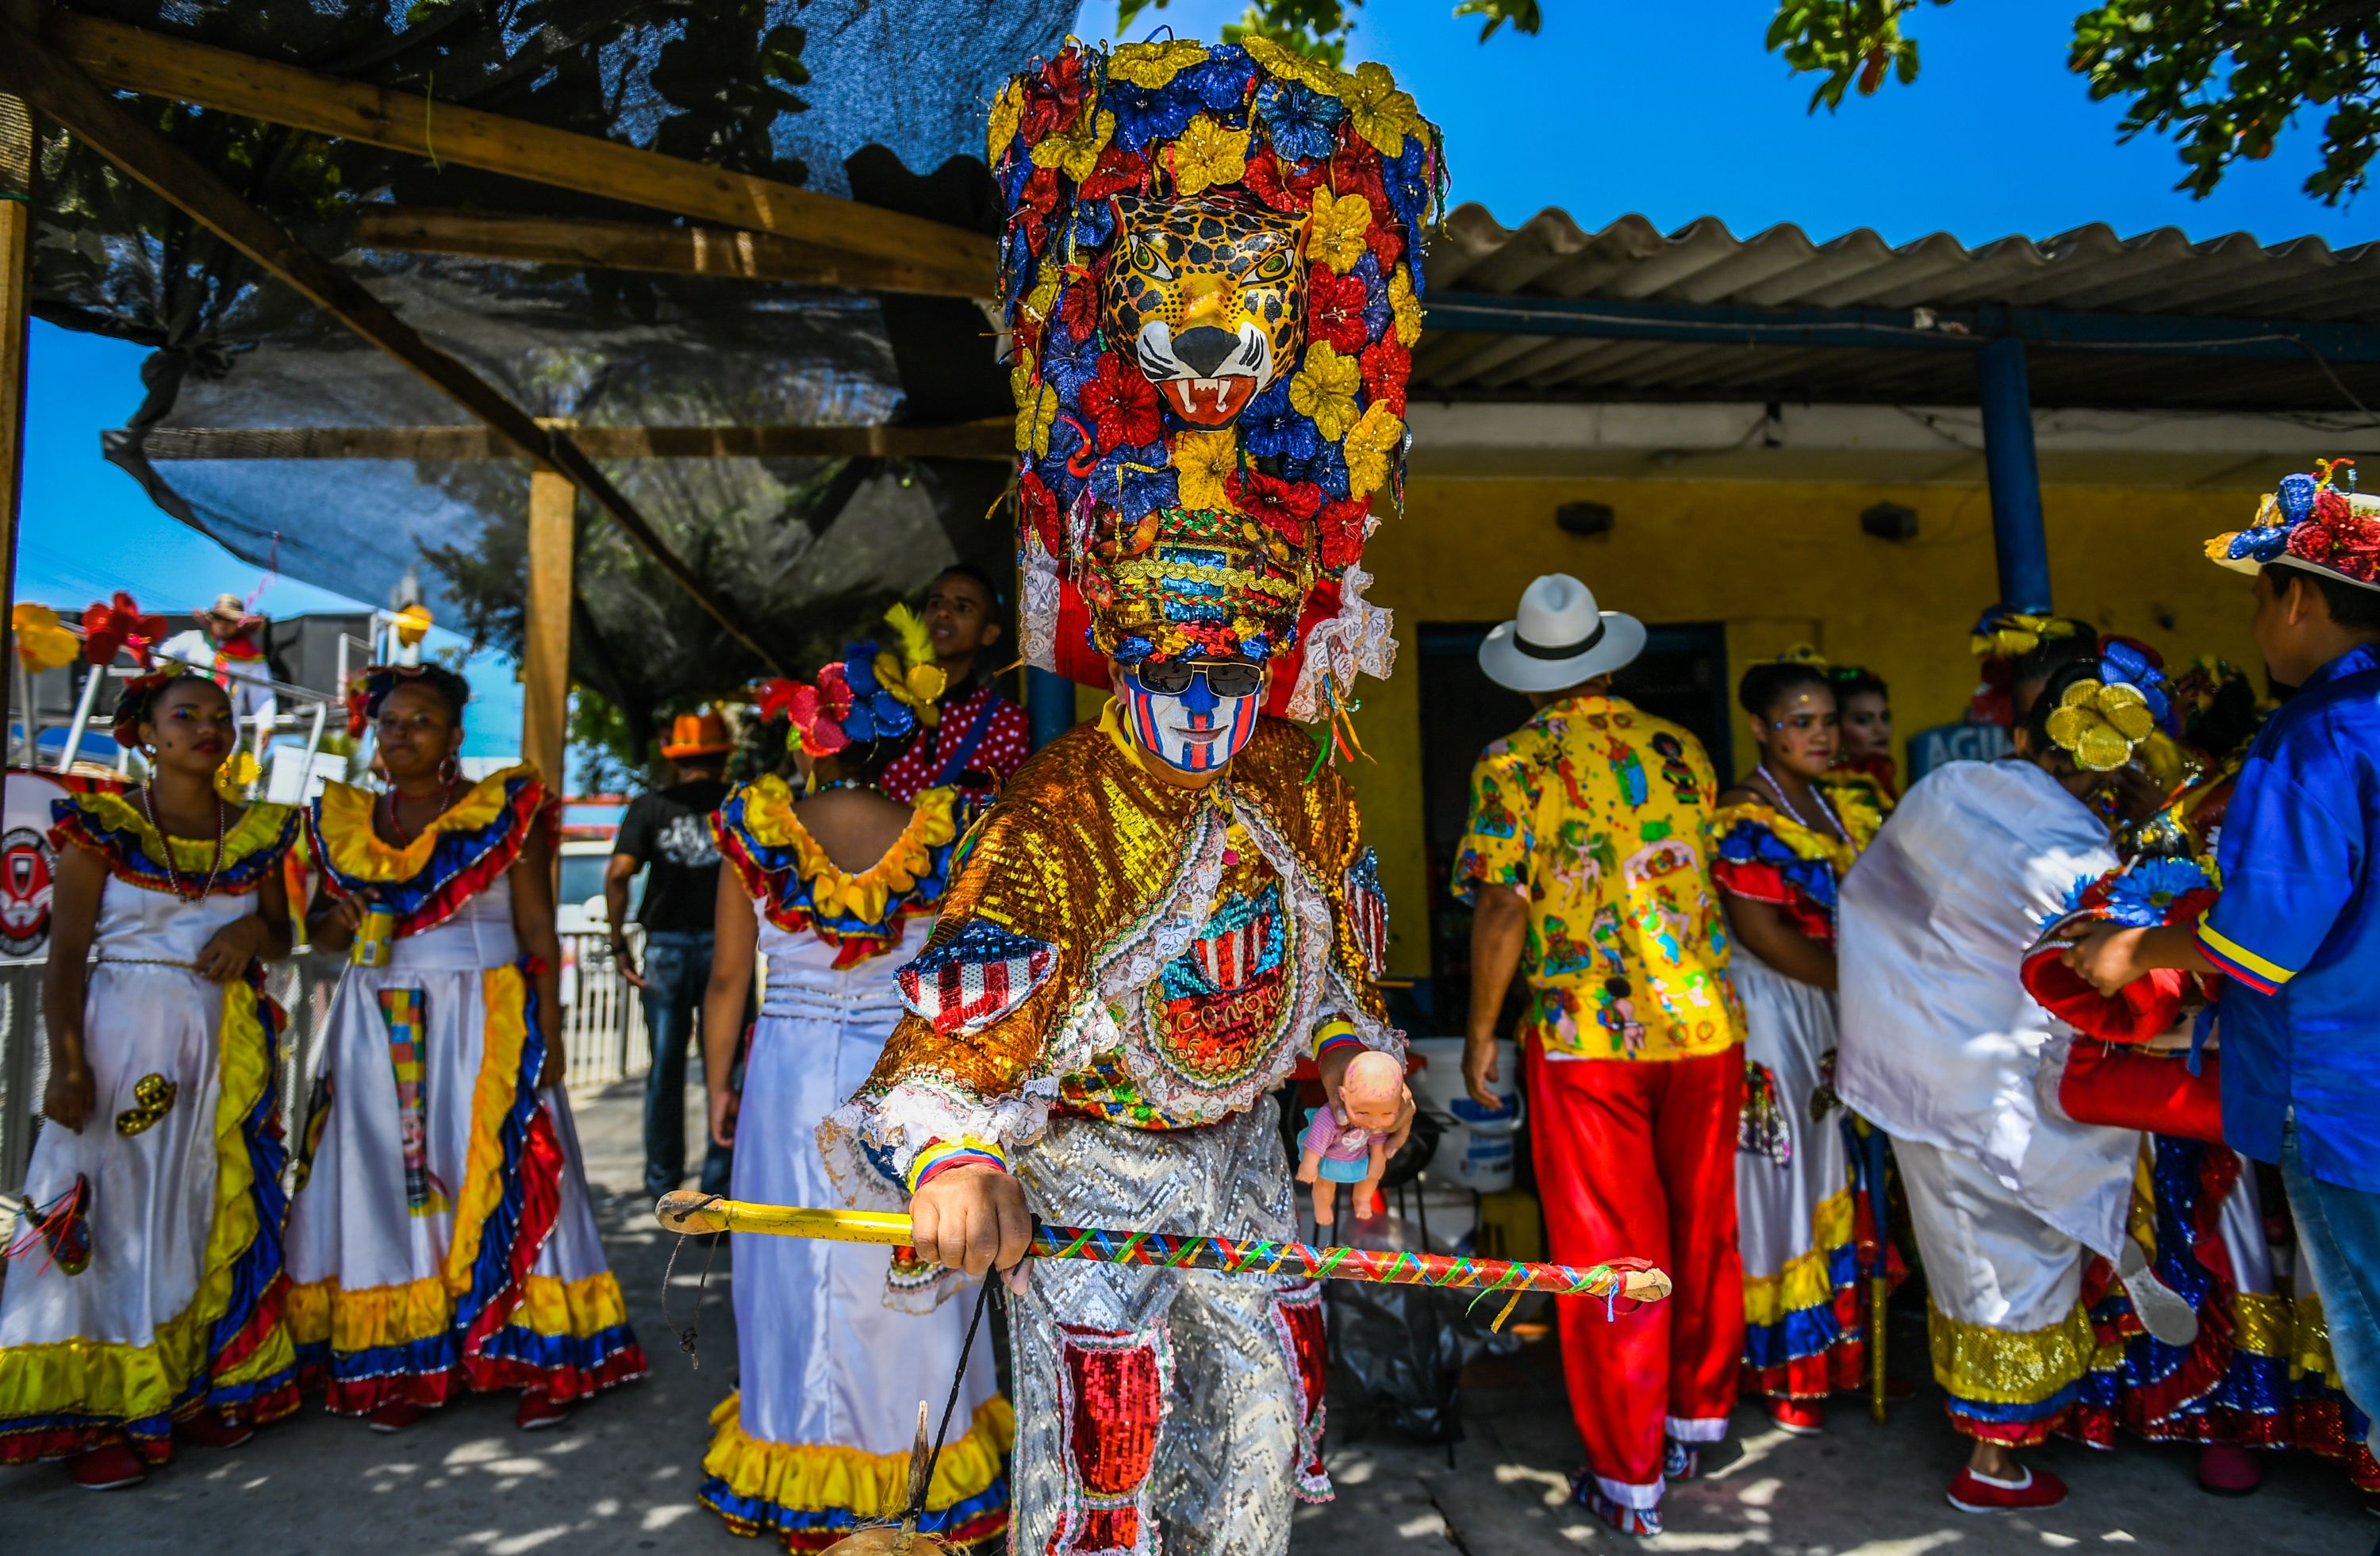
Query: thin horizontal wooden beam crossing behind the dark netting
{"x": 967, "y": 441}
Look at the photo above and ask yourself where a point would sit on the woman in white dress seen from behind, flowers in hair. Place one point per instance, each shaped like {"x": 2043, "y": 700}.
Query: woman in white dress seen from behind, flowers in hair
{"x": 837, "y": 1343}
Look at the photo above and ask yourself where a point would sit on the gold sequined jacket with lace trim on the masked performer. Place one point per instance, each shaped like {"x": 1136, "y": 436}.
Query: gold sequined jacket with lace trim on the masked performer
{"x": 1127, "y": 950}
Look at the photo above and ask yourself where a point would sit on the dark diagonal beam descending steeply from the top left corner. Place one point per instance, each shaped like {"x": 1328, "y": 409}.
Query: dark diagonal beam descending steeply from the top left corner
{"x": 182, "y": 180}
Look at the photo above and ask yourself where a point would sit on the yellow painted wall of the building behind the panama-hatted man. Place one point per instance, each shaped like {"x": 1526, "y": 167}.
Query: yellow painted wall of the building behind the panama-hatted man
{"x": 1777, "y": 563}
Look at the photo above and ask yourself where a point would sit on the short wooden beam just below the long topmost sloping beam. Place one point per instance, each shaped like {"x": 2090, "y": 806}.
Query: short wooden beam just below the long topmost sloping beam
{"x": 644, "y": 246}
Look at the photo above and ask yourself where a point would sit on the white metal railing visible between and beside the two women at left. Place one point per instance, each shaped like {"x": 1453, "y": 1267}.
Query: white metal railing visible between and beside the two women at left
{"x": 601, "y": 1019}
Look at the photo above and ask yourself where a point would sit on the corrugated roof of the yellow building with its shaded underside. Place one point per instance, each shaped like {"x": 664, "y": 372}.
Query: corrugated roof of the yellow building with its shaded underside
{"x": 2088, "y": 270}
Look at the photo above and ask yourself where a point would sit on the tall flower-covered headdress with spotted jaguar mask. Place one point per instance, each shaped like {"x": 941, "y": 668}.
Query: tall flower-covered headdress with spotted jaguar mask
{"x": 1213, "y": 287}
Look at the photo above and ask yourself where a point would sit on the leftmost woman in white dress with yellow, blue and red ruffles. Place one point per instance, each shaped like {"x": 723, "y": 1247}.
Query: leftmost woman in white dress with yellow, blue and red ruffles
{"x": 146, "y": 1305}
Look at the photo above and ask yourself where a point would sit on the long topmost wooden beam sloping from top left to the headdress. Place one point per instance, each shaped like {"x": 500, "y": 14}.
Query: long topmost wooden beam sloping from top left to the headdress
{"x": 406, "y": 123}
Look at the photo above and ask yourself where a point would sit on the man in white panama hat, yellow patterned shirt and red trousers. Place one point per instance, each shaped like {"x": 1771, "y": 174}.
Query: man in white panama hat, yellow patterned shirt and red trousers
{"x": 1589, "y": 848}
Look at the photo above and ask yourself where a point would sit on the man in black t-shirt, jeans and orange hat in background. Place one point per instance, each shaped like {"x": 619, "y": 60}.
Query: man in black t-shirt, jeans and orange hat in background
{"x": 668, "y": 834}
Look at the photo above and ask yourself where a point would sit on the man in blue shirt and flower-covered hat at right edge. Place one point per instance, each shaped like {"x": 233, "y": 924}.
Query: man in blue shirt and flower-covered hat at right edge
{"x": 2298, "y": 924}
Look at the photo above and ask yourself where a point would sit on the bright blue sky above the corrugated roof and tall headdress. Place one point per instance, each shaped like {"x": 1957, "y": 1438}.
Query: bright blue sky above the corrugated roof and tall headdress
{"x": 1677, "y": 113}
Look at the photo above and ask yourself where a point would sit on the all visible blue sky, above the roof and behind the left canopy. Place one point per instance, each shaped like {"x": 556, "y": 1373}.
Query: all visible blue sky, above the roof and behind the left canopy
{"x": 1610, "y": 111}
